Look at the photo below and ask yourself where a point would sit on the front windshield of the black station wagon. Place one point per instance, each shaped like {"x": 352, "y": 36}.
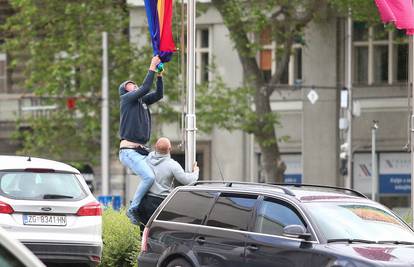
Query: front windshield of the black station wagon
{"x": 358, "y": 221}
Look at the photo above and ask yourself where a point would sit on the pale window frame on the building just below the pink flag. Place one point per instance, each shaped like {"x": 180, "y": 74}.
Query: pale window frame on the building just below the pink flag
{"x": 370, "y": 43}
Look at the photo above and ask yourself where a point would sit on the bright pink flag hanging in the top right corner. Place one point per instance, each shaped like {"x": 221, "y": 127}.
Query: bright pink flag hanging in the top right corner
{"x": 401, "y": 12}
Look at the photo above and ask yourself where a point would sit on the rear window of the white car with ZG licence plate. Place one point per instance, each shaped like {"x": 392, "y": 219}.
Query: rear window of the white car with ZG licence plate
{"x": 39, "y": 186}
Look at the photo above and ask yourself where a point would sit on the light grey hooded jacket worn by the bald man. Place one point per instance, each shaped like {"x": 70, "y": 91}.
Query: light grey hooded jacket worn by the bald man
{"x": 167, "y": 171}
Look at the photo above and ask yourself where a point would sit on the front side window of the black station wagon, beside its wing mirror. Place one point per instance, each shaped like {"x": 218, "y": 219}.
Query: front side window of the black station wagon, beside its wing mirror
{"x": 273, "y": 215}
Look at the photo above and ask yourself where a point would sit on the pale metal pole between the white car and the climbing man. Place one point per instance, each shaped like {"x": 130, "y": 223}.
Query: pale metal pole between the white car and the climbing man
{"x": 105, "y": 117}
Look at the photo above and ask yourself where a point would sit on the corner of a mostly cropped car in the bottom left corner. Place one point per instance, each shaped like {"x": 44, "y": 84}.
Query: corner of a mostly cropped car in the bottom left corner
{"x": 15, "y": 254}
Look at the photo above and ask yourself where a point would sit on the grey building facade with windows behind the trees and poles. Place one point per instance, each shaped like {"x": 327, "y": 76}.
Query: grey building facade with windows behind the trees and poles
{"x": 309, "y": 107}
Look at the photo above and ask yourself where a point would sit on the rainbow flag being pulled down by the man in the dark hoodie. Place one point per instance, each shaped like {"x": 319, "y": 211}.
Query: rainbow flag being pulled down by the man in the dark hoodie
{"x": 159, "y": 15}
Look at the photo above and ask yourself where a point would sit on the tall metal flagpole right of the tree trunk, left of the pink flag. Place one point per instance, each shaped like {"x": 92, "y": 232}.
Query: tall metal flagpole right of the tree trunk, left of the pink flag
{"x": 348, "y": 181}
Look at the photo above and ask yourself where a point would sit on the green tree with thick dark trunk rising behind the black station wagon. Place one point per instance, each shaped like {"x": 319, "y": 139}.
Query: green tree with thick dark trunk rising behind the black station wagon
{"x": 249, "y": 108}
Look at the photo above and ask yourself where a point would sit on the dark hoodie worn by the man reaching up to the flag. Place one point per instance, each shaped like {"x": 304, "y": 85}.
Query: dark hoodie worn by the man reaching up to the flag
{"x": 135, "y": 117}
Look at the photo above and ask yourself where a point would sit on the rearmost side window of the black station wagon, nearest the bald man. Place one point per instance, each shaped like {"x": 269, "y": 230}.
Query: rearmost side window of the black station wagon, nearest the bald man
{"x": 187, "y": 207}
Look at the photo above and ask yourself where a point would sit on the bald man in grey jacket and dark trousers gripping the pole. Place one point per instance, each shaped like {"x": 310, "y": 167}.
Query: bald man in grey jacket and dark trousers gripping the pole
{"x": 166, "y": 171}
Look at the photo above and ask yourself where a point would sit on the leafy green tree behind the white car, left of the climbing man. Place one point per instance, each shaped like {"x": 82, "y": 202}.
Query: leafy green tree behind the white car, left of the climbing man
{"x": 58, "y": 44}
